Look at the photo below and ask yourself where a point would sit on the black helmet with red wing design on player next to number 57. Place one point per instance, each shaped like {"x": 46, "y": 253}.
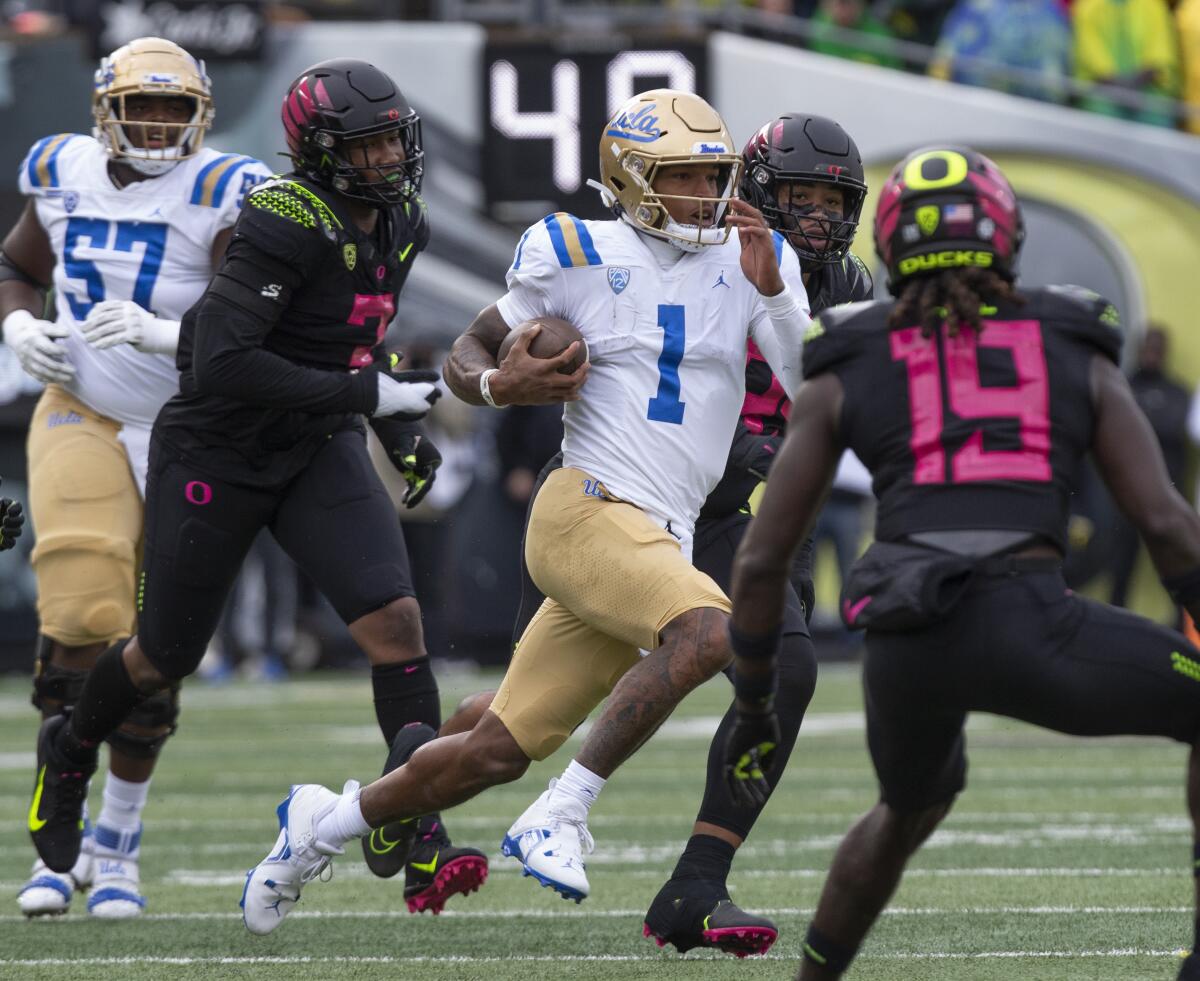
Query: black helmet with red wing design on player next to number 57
{"x": 344, "y": 100}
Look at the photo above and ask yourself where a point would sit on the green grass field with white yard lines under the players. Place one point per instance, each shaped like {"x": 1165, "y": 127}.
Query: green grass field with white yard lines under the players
{"x": 1065, "y": 860}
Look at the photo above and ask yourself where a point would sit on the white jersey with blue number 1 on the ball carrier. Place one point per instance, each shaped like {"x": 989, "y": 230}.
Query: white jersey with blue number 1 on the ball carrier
{"x": 668, "y": 352}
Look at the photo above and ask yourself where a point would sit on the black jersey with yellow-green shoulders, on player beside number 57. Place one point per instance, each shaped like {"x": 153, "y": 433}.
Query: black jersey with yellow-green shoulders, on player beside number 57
{"x": 317, "y": 294}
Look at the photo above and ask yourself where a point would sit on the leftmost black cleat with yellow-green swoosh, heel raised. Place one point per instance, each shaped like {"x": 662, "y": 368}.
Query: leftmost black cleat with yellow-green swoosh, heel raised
{"x": 56, "y": 814}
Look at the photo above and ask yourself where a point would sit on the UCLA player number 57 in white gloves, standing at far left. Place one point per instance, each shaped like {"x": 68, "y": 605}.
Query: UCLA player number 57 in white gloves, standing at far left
{"x": 128, "y": 226}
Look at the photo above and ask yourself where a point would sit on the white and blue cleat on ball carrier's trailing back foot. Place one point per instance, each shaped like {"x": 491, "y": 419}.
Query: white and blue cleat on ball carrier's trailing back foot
{"x": 273, "y": 887}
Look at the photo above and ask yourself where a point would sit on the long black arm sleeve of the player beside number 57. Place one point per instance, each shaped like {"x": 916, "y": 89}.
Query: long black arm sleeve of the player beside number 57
{"x": 244, "y": 303}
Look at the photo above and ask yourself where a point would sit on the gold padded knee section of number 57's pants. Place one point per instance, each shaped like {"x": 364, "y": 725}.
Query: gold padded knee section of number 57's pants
{"x": 85, "y": 587}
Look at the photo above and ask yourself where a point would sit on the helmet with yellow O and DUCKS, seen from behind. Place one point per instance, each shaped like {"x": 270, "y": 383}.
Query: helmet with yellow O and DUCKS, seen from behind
{"x": 947, "y": 208}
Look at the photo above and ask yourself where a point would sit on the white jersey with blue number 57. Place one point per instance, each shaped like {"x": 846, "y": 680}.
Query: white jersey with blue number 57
{"x": 151, "y": 243}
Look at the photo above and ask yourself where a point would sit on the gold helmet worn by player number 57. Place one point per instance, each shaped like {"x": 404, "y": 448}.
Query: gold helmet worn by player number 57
{"x": 151, "y": 67}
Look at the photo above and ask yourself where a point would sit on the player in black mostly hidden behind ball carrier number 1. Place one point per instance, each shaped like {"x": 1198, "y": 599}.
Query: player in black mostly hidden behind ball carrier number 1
{"x": 806, "y": 174}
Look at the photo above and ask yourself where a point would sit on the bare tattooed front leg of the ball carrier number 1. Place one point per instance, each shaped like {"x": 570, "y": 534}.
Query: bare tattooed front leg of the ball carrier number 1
{"x": 695, "y": 647}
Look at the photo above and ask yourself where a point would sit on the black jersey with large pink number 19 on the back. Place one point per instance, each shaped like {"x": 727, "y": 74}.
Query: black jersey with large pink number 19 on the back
{"x": 975, "y": 431}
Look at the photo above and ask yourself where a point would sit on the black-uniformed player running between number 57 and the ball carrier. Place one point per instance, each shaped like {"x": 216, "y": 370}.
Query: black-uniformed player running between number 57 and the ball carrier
{"x": 280, "y": 360}
